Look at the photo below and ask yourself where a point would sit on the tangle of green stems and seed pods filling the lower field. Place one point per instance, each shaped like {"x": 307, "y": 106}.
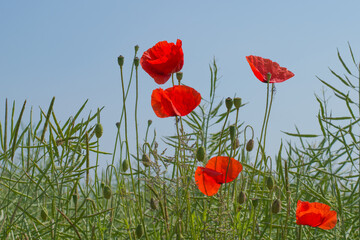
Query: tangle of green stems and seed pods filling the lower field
{"x": 49, "y": 190}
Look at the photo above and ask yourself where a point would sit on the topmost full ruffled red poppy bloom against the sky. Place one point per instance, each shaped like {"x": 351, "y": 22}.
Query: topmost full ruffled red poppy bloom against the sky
{"x": 162, "y": 60}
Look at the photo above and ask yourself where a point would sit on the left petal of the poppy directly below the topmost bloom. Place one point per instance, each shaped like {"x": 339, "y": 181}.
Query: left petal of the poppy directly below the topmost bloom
{"x": 161, "y": 104}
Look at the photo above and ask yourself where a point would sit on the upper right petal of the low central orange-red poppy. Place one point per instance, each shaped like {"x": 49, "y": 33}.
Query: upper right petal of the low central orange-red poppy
{"x": 229, "y": 169}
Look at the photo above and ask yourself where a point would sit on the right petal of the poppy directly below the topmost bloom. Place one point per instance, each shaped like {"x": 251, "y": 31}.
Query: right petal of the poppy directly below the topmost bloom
{"x": 184, "y": 99}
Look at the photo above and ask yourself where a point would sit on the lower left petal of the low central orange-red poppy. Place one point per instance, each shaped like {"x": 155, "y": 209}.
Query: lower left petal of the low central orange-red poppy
{"x": 205, "y": 182}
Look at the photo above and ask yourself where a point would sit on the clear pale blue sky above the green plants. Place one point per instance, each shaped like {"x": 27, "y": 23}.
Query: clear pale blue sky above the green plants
{"x": 69, "y": 49}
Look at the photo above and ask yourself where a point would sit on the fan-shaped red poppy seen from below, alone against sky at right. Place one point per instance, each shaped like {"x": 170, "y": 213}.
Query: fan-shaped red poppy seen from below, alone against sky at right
{"x": 262, "y": 66}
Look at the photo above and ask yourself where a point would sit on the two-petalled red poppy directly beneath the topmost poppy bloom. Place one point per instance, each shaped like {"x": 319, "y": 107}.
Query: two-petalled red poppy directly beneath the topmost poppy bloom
{"x": 178, "y": 100}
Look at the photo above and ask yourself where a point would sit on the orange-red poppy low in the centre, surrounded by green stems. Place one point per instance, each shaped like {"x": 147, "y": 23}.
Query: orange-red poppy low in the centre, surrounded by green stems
{"x": 210, "y": 177}
